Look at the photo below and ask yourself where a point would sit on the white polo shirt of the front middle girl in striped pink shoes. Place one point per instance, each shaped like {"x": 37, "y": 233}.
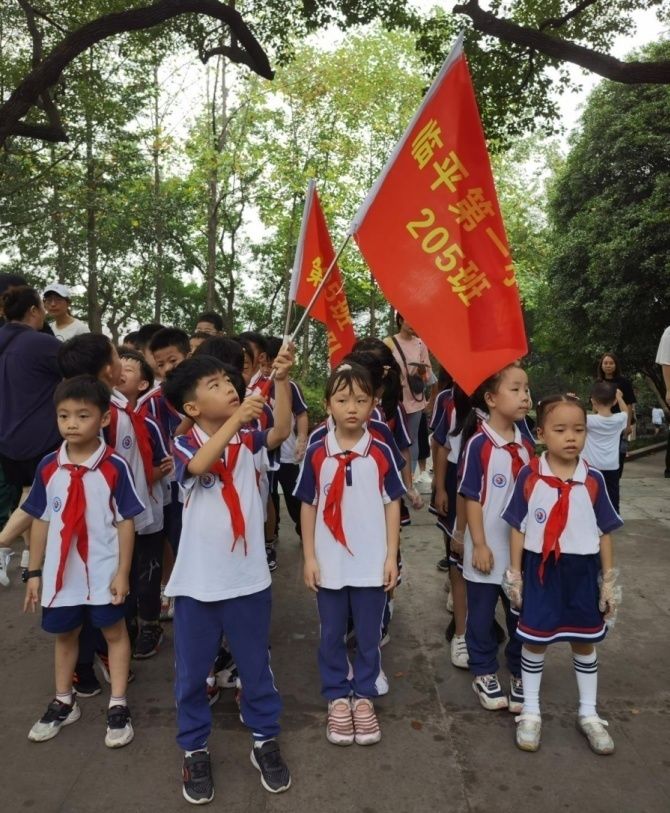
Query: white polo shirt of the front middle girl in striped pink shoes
{"x": 373, "y": 480}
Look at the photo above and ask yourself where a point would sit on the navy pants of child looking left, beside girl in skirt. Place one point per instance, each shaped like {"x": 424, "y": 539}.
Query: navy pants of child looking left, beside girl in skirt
{"x": 480, "y": 634}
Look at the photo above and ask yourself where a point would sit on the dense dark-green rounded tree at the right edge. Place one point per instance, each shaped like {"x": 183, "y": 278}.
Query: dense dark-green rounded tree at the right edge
{"x": 609, "y": 271}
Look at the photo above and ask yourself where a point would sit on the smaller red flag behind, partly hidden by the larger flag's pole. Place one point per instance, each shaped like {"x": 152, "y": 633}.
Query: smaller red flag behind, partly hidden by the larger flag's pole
{"x": 312, "y": 259}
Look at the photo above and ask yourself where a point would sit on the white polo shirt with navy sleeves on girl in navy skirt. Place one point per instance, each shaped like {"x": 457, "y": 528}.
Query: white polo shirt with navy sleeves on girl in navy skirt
{"x": 590, "y": 513}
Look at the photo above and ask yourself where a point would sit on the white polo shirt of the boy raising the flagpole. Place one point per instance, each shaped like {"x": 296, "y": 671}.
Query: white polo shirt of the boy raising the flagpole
{"x": 207, "y": 567}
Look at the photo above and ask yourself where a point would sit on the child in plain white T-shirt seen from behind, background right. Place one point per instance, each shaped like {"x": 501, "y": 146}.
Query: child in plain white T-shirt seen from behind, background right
{"x": 603, "y": 434}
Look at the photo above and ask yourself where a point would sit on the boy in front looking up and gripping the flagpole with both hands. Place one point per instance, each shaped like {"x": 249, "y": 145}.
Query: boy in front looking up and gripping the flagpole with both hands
{"x": 221, "y": 581}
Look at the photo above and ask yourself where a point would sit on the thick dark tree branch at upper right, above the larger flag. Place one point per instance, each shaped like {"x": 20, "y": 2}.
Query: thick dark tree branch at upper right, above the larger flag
{"x": 629, "y": 73}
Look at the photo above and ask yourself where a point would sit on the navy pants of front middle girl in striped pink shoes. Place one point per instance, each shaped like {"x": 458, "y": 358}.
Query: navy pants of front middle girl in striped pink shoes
{"x": 367, "y": 608}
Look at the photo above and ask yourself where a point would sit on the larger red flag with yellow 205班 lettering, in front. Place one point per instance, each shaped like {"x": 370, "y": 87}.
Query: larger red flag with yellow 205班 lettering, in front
{"x": 432, "y": 234}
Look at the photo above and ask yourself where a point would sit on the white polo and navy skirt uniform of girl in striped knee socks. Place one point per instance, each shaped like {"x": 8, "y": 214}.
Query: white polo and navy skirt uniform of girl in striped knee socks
{"x": 563, "y": 604}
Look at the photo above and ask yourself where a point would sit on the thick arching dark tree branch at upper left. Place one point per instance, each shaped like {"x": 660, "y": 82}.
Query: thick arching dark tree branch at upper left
{"x": 45, "y": 74}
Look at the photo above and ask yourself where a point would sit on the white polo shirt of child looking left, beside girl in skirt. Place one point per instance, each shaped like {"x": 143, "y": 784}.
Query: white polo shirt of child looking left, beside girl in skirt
{"x": 487, "y": 477}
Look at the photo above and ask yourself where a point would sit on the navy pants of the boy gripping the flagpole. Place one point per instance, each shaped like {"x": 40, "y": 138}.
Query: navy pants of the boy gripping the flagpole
{"x": 198, "y": 629}
